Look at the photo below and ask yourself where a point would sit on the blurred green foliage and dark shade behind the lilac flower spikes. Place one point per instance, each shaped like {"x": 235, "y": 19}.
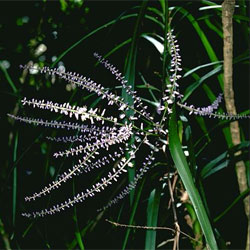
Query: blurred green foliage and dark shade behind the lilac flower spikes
{"x": 39, "y": 32}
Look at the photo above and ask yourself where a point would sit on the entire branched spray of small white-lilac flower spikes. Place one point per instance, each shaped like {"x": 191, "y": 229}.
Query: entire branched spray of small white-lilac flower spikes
{"x": 103, "y": 140}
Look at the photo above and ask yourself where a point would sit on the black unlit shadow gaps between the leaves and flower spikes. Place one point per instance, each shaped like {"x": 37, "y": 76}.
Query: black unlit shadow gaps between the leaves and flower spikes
{"x": 18, "y": 41}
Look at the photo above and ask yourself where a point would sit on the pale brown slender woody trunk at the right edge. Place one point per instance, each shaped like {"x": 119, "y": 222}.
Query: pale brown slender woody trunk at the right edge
{"x": 227, "y": 22}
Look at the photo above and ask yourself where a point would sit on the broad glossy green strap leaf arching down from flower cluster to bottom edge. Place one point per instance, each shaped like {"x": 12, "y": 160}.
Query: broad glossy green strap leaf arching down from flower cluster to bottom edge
{"x": 187, "y": 179}
